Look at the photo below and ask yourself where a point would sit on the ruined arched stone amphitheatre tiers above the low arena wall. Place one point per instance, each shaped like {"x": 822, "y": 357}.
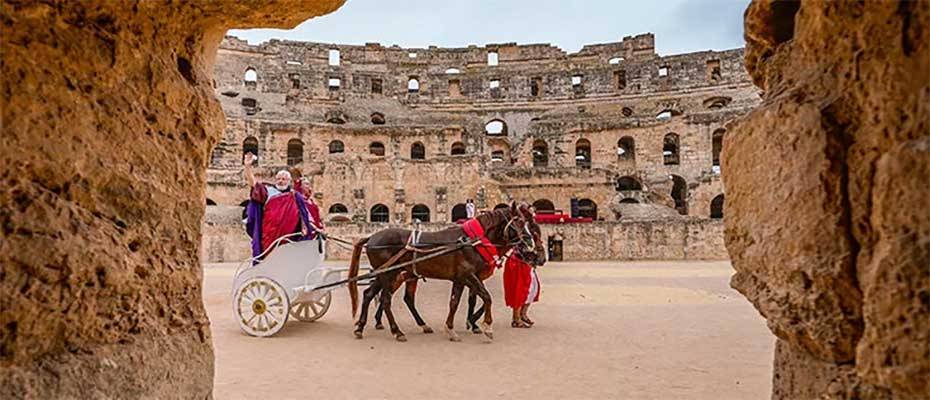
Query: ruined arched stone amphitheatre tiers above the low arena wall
{"x": 558, "y": 144}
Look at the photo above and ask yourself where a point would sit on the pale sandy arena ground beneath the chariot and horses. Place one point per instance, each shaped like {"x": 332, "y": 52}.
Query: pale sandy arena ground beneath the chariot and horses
{"x": 604, "y": 330}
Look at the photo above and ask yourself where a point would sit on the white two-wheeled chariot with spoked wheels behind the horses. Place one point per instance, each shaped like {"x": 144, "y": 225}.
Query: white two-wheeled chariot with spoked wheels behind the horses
{"x": 284, "y": 284}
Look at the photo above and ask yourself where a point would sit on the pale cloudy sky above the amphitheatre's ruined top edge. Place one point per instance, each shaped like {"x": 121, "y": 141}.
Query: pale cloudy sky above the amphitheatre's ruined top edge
{"x": 680, "y": 26}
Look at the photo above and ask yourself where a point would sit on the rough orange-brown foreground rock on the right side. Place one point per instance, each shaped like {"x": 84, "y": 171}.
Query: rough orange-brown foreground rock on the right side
{"x": 827, "y": 194}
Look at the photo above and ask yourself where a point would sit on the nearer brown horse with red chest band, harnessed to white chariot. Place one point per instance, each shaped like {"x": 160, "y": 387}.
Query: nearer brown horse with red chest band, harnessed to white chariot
{"x": 506, "y": 229}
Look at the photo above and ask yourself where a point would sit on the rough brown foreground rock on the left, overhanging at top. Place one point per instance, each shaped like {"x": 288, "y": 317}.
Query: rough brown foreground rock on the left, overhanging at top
{"x": 108, "y": 118}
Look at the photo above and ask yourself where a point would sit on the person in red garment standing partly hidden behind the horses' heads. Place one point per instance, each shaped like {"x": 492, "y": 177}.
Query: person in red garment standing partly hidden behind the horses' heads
{"x": 521, "y": 288}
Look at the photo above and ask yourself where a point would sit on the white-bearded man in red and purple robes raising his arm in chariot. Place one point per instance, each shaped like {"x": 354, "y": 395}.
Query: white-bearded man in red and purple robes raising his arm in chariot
{"x": 274, "y": 210}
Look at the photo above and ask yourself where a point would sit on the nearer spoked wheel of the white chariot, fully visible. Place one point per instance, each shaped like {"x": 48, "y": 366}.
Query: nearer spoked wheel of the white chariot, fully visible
{"x": 261, "y": 307}
